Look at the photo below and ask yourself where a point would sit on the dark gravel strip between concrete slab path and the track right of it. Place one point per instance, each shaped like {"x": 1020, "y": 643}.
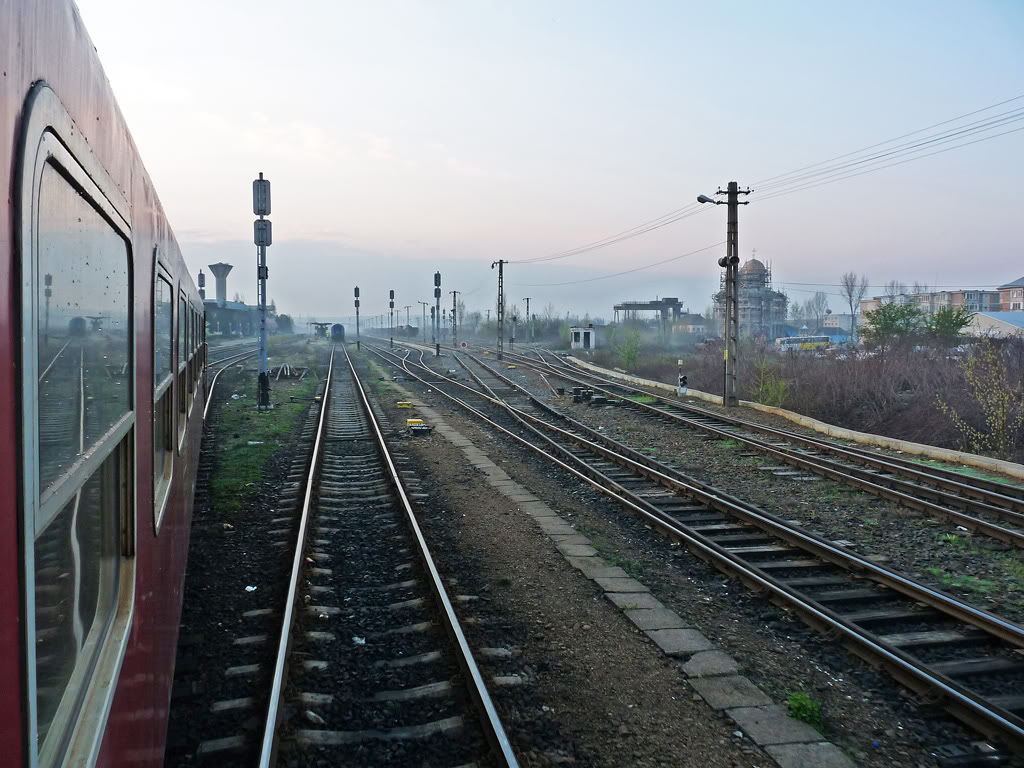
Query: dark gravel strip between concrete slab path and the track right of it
{"x": 863, "y": 708}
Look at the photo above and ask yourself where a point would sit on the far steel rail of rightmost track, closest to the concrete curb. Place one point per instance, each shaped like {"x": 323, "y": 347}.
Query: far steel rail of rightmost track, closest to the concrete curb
{"x": 975, "y": 488}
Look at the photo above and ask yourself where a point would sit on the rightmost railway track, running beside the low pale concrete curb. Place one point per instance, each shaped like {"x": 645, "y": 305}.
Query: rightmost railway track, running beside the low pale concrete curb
{"x": 985, "y": 506}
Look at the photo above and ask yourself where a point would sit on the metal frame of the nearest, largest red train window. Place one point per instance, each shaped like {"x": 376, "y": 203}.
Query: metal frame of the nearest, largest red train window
{"x": 50, "y": 138}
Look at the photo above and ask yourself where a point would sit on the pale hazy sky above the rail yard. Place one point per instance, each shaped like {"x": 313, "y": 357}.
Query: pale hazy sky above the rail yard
{"x": 401, "y": 138}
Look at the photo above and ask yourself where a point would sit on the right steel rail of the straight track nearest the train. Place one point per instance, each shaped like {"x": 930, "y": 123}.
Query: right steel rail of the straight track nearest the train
{"x": 489, "y": 715}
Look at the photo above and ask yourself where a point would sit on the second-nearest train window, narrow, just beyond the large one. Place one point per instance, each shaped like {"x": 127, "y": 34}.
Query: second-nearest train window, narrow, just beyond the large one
{"x": 163, "y": 404}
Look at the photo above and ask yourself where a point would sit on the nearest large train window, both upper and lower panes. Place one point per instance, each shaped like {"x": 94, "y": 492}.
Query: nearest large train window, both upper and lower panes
{"x": 79, "y": 459}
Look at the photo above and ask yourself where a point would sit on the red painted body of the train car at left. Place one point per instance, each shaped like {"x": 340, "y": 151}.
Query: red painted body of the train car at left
{"x": 45, "y": 49}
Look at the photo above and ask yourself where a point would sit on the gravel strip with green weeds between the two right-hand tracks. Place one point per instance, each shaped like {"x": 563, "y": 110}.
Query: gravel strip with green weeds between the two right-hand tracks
{"x": 980, "y": 571}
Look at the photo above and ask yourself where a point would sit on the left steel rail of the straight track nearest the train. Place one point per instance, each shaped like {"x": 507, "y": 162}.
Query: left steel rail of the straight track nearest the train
{"x": 269, "y": 743}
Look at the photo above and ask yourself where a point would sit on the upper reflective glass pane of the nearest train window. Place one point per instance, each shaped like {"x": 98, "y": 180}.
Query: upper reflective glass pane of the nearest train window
{"x": 84, "y": 334}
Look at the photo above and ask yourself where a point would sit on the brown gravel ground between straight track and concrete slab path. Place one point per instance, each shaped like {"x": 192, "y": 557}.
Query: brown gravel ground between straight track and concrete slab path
{"x": 637, "y": 709}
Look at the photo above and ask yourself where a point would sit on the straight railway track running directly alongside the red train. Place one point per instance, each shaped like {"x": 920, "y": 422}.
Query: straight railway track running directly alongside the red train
{"x": 372, "y": 666}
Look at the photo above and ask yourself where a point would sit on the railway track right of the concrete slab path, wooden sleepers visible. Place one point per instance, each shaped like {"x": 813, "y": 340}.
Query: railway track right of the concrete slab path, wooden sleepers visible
{"x": 969, "y": 661}
